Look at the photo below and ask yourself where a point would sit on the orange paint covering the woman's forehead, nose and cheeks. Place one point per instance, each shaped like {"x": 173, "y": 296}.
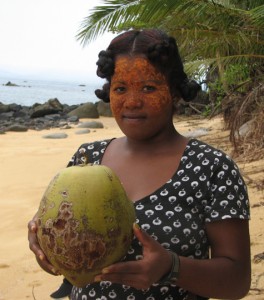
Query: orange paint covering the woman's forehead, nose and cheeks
{"x": 136, "y": 84}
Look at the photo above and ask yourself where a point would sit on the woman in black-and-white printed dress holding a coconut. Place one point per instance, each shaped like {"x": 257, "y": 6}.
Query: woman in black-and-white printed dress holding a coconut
{"x": 189, "y": 197}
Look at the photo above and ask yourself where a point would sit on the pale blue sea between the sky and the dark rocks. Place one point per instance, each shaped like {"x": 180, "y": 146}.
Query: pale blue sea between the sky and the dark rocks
{"x": 29, "y": 92}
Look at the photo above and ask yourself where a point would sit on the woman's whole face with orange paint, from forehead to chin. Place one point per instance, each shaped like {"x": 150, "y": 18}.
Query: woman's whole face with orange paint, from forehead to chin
{"x": 140, "y": 98}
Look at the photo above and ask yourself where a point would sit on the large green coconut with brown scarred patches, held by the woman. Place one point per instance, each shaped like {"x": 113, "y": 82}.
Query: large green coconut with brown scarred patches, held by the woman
{"x": 85, "y": 222}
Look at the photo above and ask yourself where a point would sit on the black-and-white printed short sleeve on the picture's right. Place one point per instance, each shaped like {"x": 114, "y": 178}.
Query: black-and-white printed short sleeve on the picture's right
{"x": 227, "y": 192}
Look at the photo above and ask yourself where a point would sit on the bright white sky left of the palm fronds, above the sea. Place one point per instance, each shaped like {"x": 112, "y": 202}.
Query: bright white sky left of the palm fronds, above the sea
{"x": 37, "y": 40}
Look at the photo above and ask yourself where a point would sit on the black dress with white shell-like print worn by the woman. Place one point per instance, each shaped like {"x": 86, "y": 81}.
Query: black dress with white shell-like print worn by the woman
{"x": 206, "y": 187}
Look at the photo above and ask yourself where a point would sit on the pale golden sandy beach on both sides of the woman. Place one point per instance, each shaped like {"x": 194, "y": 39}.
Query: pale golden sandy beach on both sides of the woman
{"x": 28, "y": 162}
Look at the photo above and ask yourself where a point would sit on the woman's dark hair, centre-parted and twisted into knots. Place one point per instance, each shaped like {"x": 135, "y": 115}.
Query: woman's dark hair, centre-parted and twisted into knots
{"x": 162, "y": 52}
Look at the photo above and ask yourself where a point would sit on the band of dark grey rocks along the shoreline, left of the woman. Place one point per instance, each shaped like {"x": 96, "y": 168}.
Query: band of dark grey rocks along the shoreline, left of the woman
{"x": 51, "y": 114}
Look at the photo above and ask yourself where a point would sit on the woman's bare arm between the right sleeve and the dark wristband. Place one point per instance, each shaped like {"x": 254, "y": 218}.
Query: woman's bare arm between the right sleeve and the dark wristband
{"x": 228, "y": 273}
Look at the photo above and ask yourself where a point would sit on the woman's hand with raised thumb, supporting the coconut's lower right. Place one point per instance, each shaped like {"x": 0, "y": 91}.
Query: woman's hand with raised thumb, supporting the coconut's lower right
{"x": 140, "y": 274}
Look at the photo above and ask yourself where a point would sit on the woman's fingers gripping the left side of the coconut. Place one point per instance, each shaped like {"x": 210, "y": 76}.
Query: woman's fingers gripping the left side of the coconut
{"x": 35, "y": 248}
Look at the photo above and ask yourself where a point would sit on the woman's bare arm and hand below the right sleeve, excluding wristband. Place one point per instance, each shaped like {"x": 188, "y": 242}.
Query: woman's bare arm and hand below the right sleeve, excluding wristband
{"x": 226, "y": 275}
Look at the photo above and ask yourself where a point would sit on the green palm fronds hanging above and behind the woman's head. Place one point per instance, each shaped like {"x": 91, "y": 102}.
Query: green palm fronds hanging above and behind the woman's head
{"x": 223, "y": 35}
